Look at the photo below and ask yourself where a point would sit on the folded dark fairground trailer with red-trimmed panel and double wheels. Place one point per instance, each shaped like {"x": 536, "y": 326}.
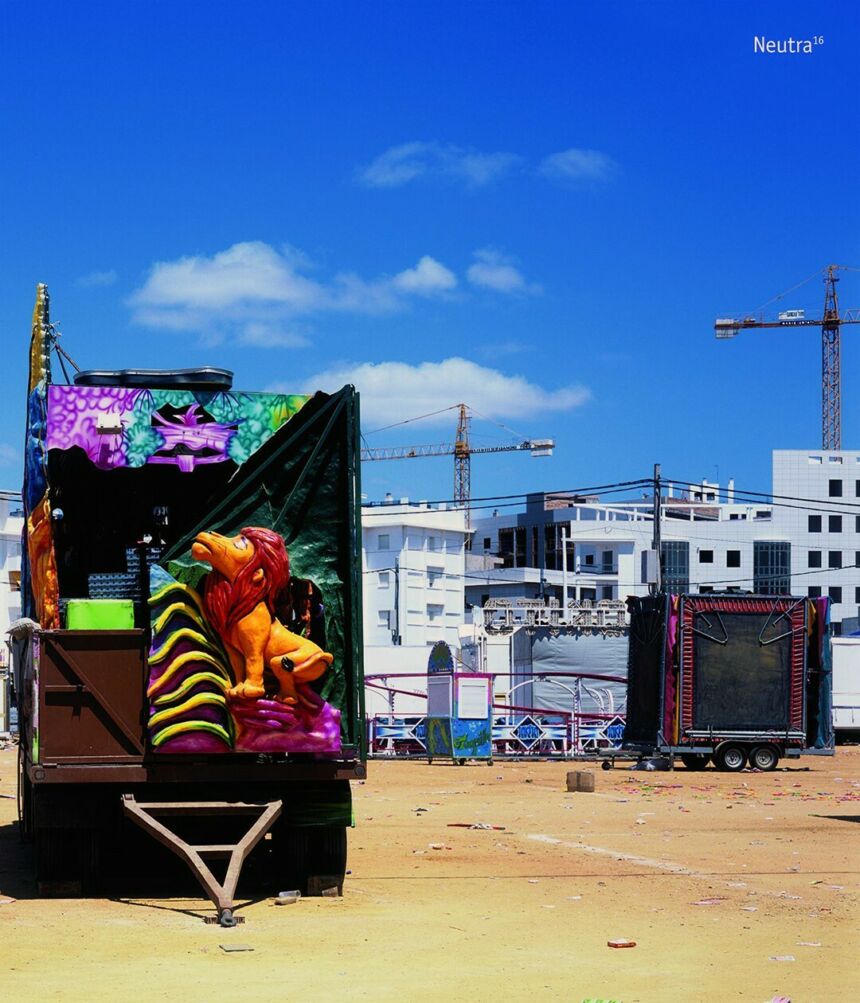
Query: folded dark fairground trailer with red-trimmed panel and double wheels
{"x": 737, "y": 680}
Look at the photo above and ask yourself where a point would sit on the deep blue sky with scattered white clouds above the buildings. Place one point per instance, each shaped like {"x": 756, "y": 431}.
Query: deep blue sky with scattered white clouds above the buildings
{"x": 535, "y": 208}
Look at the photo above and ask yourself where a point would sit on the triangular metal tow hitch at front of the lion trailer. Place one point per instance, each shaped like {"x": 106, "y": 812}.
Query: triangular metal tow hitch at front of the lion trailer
{"x": 222, "y": 894}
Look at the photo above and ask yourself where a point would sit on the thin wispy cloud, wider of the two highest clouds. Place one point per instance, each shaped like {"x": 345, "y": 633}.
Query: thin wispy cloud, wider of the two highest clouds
{"x": 413, "y": 161}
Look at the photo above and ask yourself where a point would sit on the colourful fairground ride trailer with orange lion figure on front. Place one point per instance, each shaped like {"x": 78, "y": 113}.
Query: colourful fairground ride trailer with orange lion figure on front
{"x": 189, "y": 665}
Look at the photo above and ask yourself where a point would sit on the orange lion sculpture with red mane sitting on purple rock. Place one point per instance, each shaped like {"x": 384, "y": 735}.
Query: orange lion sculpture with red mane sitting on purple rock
{"x": 249, "y": 572}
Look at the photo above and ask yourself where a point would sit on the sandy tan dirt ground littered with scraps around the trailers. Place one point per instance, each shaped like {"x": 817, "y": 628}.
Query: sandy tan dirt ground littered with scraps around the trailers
{"x": 734, "y": 887}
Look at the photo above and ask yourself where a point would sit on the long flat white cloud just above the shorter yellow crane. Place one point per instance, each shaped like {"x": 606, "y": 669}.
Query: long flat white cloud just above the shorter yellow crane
{"x": 392, "y": 392}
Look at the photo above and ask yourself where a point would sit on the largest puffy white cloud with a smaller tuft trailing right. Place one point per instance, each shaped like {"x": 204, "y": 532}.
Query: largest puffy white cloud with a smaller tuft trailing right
{"x": 254, "y": 293}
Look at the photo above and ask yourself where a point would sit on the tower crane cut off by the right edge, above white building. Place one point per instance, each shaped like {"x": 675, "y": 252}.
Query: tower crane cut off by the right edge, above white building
{"x": 830, "y": 324}
